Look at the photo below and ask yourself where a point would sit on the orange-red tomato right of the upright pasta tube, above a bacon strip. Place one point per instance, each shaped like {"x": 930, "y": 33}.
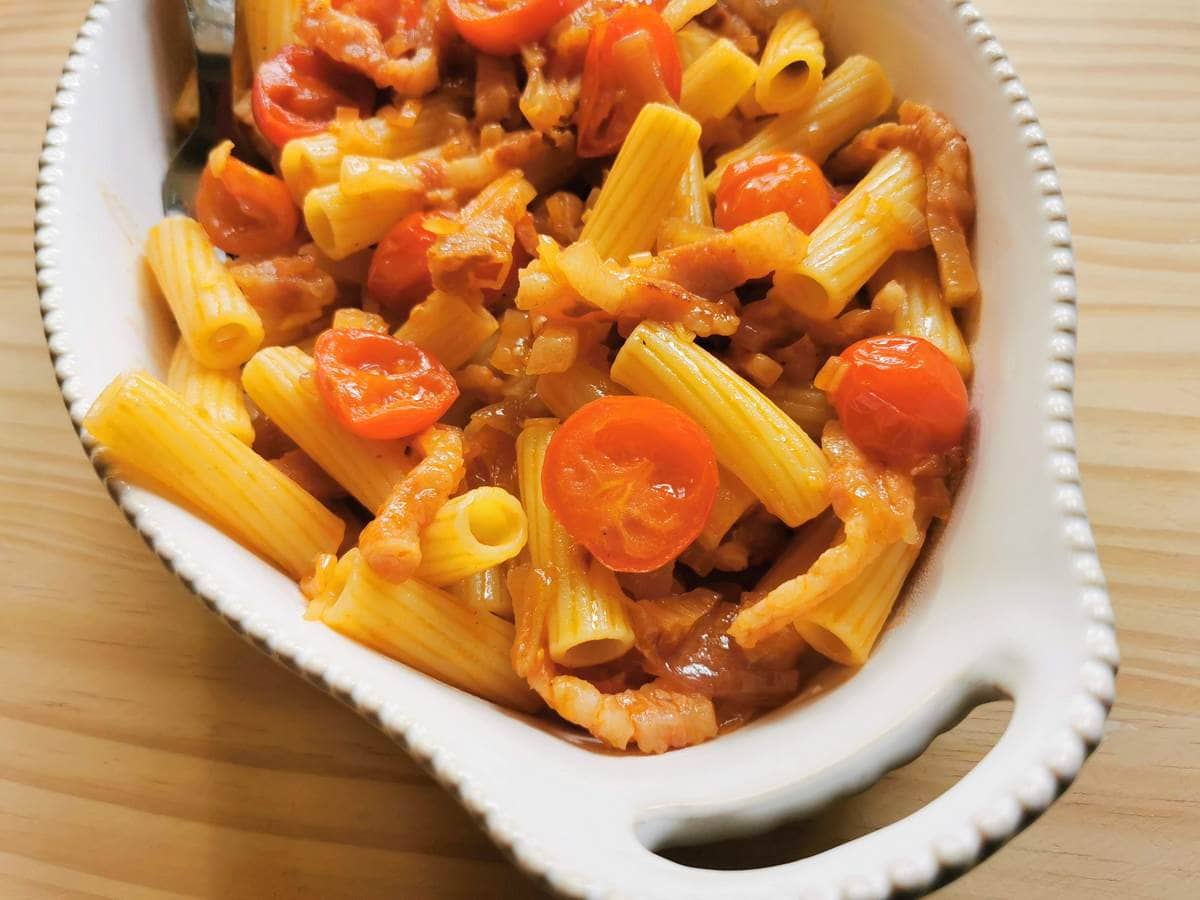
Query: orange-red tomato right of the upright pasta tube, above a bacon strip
{"x": 773, "y": 183}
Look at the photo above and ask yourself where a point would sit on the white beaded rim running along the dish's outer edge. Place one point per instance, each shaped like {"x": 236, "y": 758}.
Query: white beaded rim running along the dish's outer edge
{"x": 993, "y": 825}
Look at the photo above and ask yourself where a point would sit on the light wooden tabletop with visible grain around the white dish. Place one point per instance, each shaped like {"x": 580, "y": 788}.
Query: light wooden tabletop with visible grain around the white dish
{"x": 147, "y": 752}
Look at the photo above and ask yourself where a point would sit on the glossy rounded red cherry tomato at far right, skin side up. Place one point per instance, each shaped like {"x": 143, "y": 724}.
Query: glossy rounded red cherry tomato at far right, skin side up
{"x": 901, "y": 399}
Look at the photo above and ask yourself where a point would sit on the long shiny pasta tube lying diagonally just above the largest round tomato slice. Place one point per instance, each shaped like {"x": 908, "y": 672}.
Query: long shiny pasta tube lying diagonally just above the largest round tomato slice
{"x": 753, "y": 439}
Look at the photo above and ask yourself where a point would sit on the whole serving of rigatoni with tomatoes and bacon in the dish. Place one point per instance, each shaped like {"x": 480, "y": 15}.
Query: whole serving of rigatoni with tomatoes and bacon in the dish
{"x": 728, "y": 273}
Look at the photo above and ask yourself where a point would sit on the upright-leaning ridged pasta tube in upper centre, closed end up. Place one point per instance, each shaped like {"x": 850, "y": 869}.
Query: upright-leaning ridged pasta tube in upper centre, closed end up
{"x": 640, "y": 189}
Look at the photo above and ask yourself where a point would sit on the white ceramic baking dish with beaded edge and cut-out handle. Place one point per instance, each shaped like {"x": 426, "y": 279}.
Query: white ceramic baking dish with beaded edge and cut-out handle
{"x": 1011, "y": 602}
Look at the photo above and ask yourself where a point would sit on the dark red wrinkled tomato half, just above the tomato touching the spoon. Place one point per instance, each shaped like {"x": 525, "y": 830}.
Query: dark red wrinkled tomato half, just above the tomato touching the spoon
{"x": 298, "y": 92}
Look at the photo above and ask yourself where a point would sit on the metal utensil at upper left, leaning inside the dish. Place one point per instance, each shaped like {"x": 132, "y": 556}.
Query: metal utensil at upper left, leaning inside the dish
{"x": 212, "y": 26}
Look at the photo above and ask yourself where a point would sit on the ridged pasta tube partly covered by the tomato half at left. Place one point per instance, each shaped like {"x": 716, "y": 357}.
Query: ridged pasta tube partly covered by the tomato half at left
{"x": 280, "y": 381}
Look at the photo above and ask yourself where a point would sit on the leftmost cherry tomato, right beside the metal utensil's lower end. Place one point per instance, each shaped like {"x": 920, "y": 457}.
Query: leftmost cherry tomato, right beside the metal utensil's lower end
{"x": 244, "y": 212}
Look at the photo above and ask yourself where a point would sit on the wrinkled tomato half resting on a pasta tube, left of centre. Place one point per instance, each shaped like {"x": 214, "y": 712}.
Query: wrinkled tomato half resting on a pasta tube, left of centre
{"x": 380, "y": 387}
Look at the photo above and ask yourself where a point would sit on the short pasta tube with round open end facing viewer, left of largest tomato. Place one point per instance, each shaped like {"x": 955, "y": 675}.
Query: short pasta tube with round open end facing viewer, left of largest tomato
{"x": 473, "y": 532}
